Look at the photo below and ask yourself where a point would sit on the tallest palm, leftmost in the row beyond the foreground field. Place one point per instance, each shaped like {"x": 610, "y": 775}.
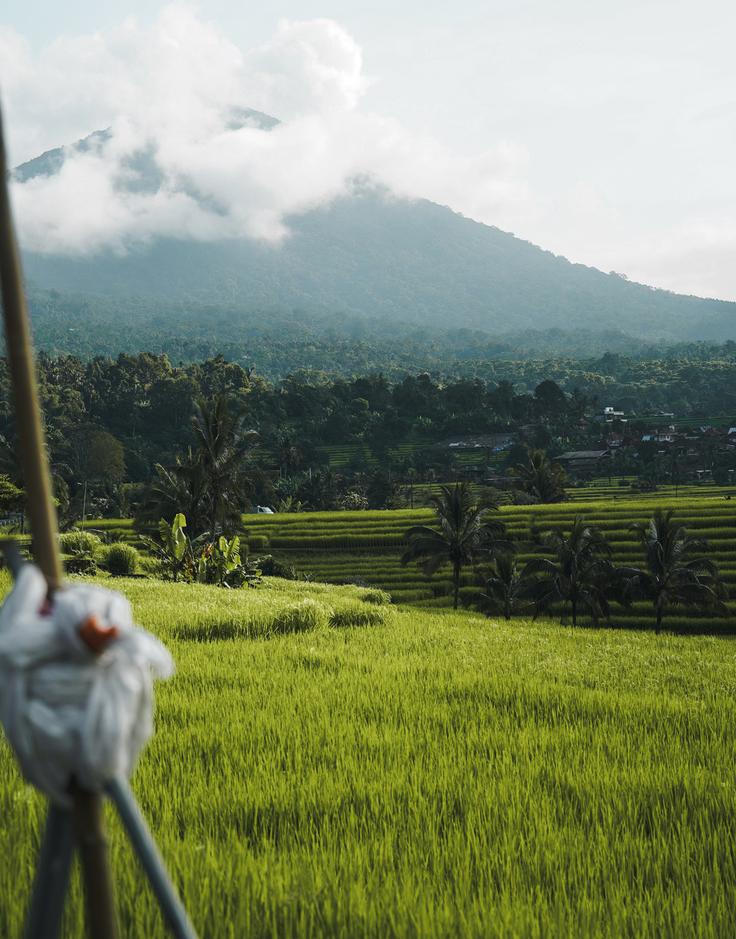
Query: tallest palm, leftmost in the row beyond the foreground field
{"x": 464, "y": 533}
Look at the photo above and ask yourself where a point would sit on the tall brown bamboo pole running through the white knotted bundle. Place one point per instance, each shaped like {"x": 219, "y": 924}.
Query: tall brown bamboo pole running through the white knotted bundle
{"x": 42, "y": 512}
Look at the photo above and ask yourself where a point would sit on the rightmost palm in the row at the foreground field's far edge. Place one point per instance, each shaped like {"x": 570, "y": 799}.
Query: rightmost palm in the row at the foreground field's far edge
{"x": 676, "y": 574}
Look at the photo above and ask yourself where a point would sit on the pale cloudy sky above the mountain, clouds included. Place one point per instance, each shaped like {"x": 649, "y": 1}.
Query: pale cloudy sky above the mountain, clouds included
{"x": 605, "y": 132}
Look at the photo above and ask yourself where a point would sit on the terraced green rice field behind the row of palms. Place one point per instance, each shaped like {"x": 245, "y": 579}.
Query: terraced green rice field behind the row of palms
{"x": 365, "y": 547}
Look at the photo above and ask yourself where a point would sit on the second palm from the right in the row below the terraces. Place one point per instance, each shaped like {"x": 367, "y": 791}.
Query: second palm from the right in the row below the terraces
{"x": 580, "y": 574}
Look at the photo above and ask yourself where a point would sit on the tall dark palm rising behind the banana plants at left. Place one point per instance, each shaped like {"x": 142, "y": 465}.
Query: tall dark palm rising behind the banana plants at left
{"x": 223, "y": 449}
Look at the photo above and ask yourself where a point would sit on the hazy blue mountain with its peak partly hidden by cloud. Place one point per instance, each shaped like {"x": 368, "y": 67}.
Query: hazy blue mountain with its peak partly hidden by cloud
{"x": 370, "y": 255}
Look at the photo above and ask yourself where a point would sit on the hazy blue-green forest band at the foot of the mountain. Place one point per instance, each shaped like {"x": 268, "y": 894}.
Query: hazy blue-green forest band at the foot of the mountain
{"x": 277, "y": 344}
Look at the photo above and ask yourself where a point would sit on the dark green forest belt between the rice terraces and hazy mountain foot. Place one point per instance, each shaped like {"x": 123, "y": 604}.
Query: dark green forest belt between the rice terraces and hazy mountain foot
{"x": 110, "y": 422}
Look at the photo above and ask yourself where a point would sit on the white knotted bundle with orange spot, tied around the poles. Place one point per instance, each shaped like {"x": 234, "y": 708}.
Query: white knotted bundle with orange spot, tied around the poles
{"x": 76, "y": 683}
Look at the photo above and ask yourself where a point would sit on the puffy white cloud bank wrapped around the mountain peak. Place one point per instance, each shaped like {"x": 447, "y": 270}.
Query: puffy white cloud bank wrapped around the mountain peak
{"x": 169, "y": 91}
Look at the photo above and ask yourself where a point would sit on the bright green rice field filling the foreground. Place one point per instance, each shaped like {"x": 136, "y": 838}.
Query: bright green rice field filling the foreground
{"x": 424, "y": 774}
